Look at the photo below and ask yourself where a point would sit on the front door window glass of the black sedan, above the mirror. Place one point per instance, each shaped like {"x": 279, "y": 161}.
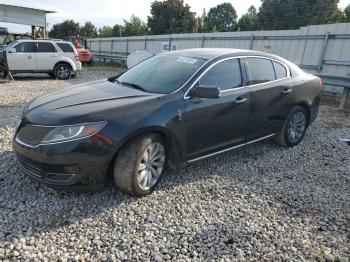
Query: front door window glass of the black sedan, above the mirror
{"x": 225, "y": 75}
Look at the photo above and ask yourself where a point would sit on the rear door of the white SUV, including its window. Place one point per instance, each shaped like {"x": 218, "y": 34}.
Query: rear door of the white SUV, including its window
{"x": 47, "y": 56}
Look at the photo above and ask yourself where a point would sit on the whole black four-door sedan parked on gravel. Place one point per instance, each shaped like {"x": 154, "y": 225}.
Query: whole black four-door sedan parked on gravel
{"x": 179, "y": 106}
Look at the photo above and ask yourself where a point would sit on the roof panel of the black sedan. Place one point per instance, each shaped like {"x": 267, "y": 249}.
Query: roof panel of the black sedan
{"x": 211, "y": 53}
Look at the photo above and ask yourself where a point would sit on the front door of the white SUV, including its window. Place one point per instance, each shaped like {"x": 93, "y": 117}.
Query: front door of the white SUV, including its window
{"x": 24, "y": 59}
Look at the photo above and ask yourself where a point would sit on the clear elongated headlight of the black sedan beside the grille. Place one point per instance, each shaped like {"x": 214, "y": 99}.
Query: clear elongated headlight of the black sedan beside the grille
{"x": 64, "y": 133}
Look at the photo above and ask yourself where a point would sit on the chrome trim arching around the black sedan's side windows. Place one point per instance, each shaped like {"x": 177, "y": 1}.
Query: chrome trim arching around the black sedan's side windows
{"x": 238, "y": 88}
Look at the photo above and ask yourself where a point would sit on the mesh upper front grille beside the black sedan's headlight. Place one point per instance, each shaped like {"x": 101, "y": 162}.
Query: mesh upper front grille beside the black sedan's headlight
{"x": 33, "y": 135}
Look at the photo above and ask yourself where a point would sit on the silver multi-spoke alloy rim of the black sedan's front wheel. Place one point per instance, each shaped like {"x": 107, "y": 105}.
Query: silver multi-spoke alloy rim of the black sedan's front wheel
{"x": 151, "y": 166}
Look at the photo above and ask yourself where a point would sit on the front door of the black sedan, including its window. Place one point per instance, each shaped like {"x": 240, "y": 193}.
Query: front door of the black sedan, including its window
{"x": 218, "y": 123}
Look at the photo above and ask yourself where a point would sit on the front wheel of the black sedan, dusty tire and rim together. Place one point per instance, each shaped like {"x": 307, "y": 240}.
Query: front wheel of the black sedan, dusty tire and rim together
{"x": 133, "y": 173}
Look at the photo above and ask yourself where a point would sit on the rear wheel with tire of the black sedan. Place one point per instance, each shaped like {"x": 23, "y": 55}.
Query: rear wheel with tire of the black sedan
{"x": 294, "y": 128}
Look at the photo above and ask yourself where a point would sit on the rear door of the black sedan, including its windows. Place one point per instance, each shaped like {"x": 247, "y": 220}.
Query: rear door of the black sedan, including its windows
{"x": 272, "y": 95}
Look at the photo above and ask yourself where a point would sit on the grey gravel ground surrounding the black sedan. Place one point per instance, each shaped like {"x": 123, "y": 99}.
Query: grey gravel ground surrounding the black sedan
{"x": 262, "y": 202}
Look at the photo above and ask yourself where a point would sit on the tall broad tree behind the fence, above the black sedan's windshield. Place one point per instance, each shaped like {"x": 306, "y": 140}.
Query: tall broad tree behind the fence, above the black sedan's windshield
{"x": 171, "y": 17}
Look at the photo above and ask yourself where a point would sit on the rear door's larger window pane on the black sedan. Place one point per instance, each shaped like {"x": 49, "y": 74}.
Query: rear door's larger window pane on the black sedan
{"x": 260, "y": 70}
